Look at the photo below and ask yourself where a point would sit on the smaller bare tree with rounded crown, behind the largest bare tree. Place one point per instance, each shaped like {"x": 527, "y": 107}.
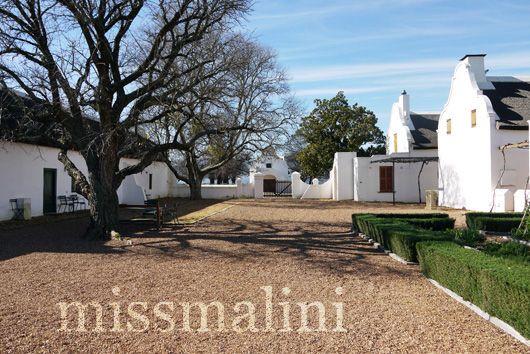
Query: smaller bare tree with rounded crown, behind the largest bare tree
{"x": 243, "y": 106}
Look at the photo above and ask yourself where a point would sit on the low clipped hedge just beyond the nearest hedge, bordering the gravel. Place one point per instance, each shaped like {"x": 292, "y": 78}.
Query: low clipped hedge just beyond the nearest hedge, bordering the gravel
{"x": 397, "y": 235}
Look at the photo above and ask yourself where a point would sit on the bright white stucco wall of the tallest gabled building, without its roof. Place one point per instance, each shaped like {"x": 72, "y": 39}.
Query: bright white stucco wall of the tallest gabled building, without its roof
{"x": 470, "y": 160}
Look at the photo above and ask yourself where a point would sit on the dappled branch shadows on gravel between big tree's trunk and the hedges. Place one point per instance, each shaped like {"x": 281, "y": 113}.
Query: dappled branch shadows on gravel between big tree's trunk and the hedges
{"x": 323, "y": 250}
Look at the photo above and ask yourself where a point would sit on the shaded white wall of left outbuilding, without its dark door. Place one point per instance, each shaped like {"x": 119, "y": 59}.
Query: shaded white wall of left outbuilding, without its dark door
{"x": 22, "y": 174}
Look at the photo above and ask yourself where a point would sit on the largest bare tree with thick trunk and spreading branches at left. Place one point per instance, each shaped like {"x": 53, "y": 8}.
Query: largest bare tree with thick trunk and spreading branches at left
{"x": 109, "y": 60}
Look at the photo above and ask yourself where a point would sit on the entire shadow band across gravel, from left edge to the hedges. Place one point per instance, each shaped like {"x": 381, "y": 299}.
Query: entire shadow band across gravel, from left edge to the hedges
{"x": 318, "y": 244}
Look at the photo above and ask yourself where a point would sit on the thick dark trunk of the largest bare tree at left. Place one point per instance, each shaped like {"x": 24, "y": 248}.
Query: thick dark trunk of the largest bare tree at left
{"x": 103, "y": 199}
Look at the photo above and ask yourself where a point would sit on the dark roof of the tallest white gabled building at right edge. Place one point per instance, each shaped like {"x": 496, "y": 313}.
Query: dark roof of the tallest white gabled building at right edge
{"x": 511, "y": 102}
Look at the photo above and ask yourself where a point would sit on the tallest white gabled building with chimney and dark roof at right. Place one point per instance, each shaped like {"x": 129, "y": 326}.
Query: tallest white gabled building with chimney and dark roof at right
{"x": 482, "y": 114}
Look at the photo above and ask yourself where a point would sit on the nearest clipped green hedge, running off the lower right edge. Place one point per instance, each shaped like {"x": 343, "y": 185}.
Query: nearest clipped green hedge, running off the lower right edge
{"x": 498, "y": 286}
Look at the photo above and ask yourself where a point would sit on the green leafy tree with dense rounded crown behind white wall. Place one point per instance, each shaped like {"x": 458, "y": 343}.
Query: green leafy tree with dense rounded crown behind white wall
{"x": 335, "y": 126}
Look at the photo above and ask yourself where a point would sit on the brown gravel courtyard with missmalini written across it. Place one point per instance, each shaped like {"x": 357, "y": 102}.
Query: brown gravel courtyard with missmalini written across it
{"x": 304, "y": 246}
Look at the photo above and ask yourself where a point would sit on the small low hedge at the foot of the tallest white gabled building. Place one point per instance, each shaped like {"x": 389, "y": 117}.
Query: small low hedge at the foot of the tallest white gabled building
{"x": 504, "y": 222}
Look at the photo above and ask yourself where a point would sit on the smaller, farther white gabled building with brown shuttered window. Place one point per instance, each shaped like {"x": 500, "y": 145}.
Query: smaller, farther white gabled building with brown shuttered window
{"x": 409, "y": 168}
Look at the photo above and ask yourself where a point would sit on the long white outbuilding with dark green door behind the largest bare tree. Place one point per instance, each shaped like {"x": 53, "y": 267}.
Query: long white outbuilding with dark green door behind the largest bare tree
{"x": 33, "y": 179}
